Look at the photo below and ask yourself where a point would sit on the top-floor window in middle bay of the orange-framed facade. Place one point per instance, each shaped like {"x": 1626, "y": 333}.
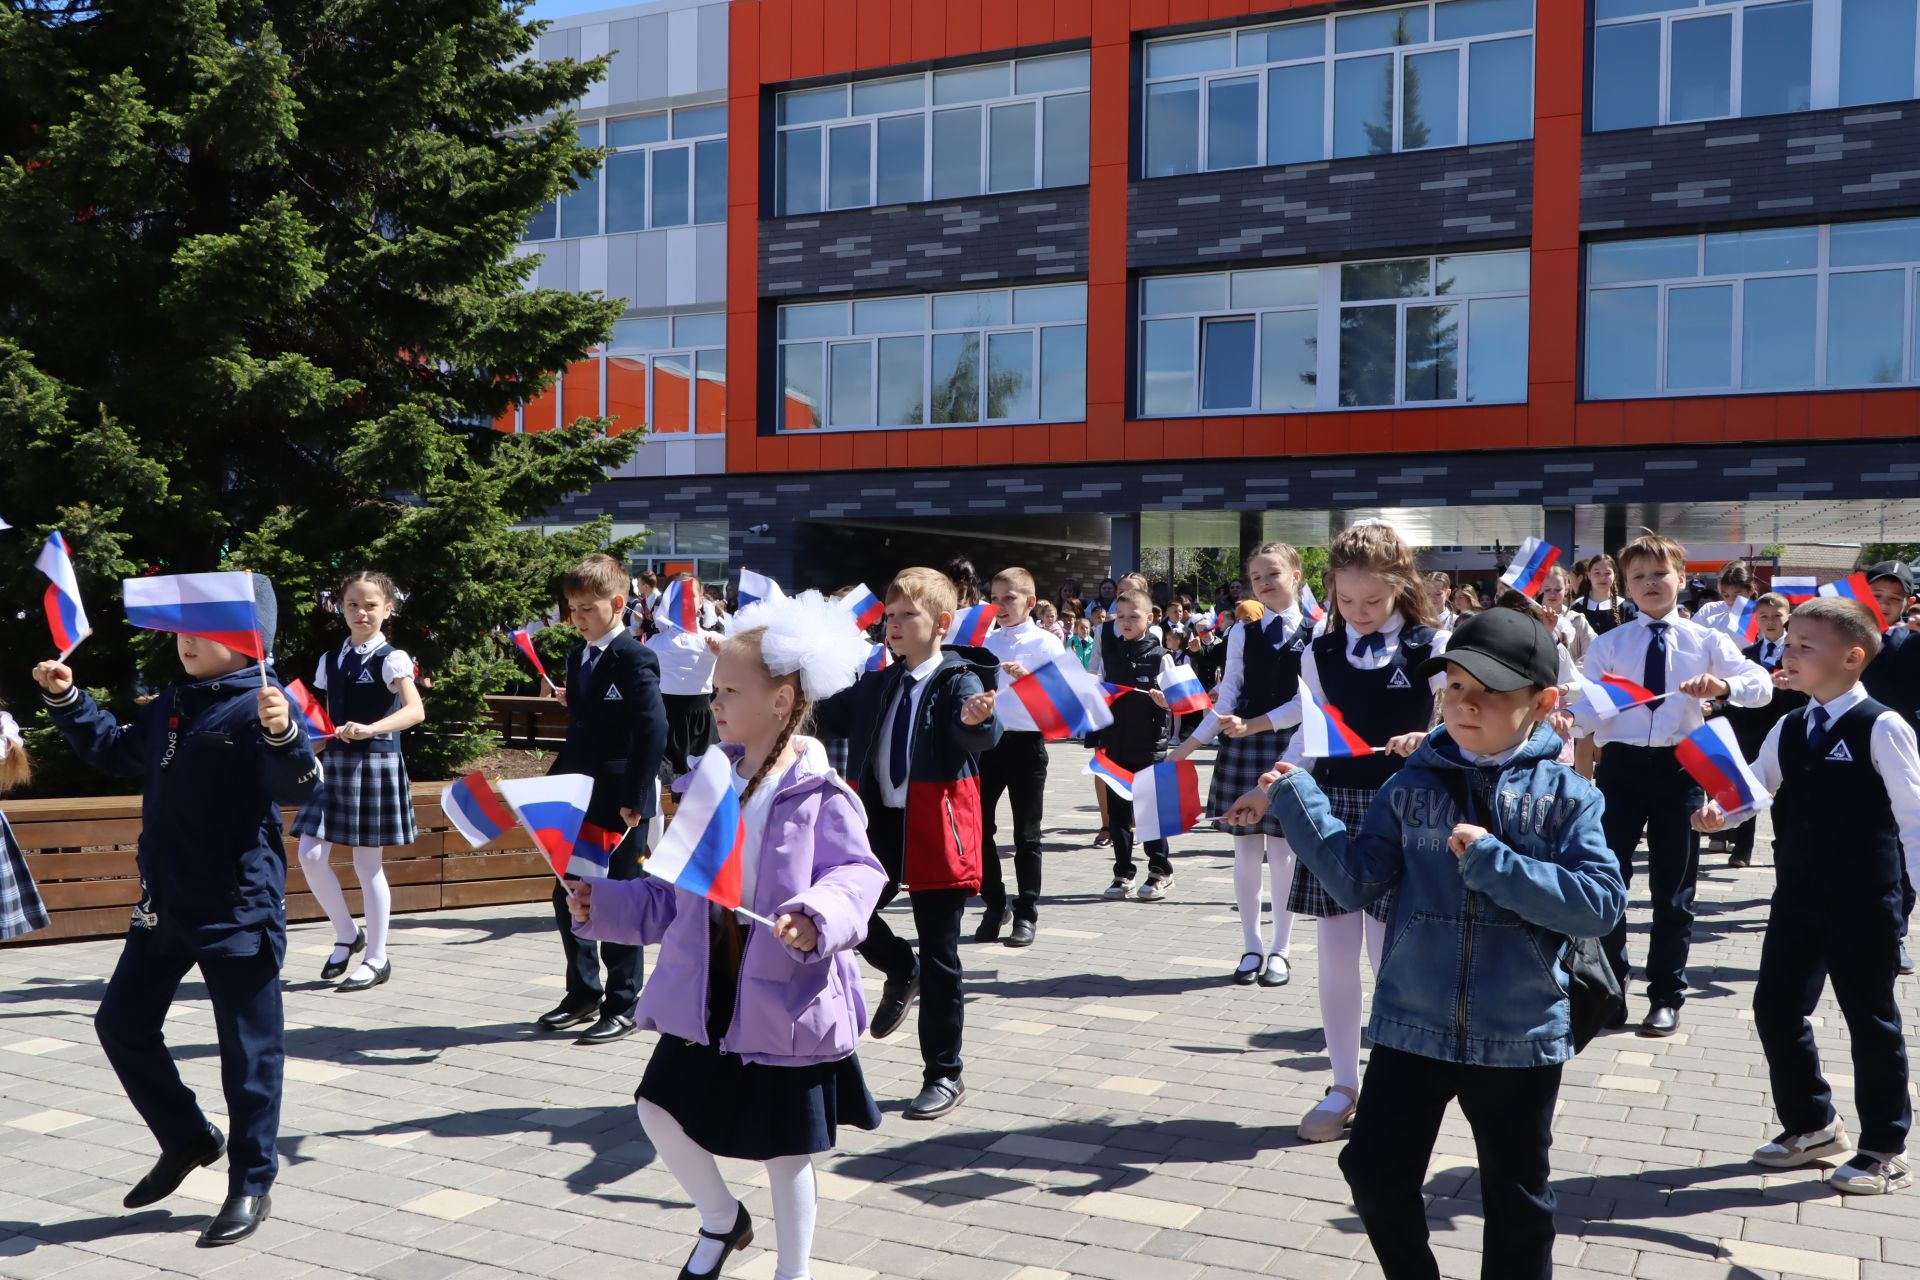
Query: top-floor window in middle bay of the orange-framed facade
{"x": 1401, "y": 80}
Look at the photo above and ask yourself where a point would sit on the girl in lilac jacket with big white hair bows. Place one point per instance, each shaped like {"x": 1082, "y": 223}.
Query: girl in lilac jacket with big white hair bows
{"x": 759, "y": 1026}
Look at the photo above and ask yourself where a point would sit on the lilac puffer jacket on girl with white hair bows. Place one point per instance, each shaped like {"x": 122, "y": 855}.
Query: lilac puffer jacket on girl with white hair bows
{"x": 794, "y": 1008}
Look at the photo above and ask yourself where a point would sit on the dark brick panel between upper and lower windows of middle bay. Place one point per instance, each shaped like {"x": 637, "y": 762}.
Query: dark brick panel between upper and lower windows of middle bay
{"x": 1343, "y": 208}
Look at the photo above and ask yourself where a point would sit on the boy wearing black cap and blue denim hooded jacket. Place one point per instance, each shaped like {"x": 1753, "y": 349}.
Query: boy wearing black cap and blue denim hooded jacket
{"x": 1497, "y": 857}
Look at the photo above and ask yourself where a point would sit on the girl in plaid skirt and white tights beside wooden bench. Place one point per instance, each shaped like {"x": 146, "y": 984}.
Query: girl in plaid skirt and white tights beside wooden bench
{"x": 366, "y": 799}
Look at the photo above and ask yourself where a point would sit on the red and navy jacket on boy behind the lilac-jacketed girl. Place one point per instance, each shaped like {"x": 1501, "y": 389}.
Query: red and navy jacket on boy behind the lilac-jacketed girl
{"x": 944, "y": 826}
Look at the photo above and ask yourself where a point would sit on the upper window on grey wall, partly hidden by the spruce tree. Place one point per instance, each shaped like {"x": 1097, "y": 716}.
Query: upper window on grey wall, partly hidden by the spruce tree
{"x": 665, "y": 170}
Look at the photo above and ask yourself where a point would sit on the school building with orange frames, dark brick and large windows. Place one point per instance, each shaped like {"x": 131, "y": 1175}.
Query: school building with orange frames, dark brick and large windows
{"x": 1055, "y": 281}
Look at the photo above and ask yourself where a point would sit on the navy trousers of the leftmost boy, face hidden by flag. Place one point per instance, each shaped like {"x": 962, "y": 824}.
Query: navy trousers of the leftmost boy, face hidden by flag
{"x": 252, "y": 1031}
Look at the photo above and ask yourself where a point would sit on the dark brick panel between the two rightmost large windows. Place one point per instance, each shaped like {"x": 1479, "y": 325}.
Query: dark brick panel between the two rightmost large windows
{"x": 1812, "y": 166}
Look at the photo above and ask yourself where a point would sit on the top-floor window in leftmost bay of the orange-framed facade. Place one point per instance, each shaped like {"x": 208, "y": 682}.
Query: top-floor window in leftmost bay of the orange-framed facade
{"x": 940, "y": 135}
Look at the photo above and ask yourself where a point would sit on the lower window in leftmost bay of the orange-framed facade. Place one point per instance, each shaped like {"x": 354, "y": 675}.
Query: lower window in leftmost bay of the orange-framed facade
{"x": 944, "y": 360}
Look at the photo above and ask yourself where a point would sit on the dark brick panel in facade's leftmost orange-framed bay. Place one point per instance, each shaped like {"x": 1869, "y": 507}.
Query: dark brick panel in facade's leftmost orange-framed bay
{"x": 928, "y": 247}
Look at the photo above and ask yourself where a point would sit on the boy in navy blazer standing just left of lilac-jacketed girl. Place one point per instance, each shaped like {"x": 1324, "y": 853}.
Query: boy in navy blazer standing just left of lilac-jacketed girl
{"x": 615, "y": 734}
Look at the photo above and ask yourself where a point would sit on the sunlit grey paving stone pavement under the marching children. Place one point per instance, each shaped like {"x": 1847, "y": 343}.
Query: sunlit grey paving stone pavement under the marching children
{"x": 1130, "y": 1118}
